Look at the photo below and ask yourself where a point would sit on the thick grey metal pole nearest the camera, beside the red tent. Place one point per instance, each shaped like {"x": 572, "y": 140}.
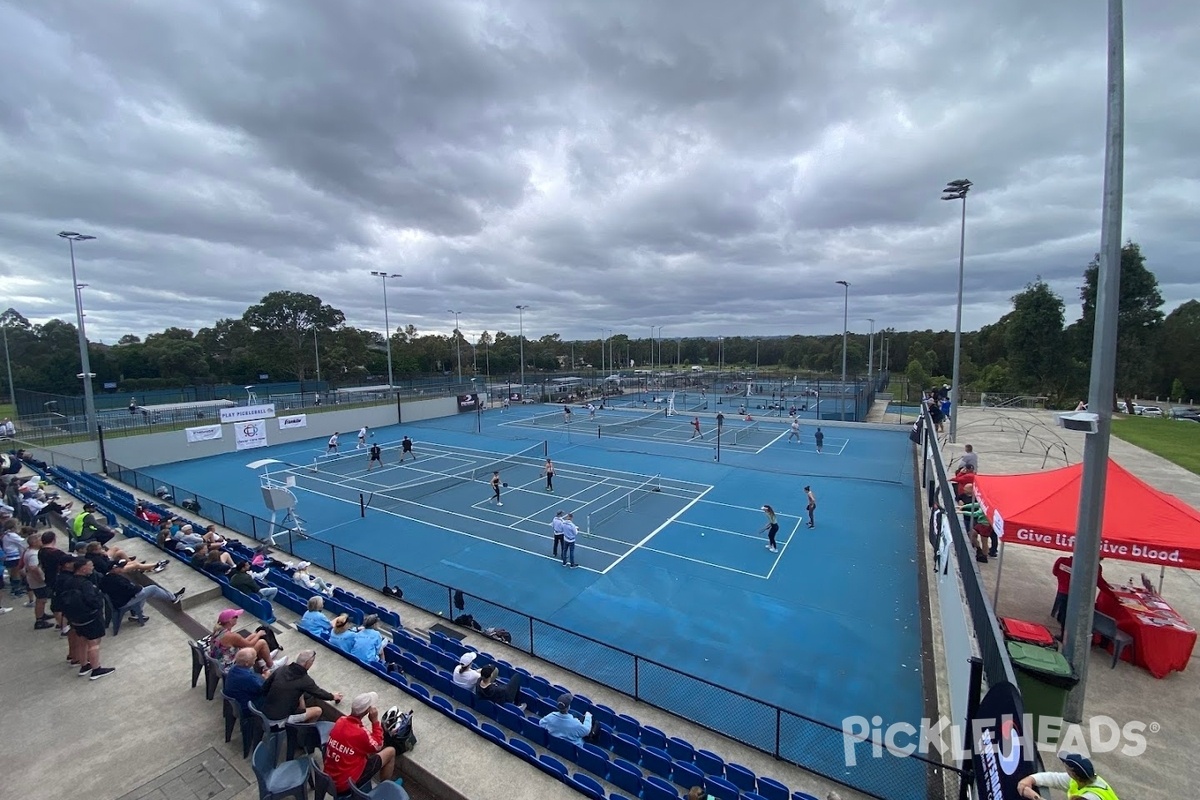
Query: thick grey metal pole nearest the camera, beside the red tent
{"x": 1081, "y": 599}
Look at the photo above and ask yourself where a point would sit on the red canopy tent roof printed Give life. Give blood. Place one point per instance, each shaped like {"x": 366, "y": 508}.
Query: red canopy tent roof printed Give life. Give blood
{"x": 1141, "y": 524}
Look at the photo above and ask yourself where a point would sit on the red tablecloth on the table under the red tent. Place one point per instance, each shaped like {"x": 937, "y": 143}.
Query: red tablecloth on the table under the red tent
{"x": 1163, "y": 641}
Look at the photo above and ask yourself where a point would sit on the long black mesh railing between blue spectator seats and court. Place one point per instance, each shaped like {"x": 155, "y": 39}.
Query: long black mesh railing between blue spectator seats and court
{"x": 814, "y": 745}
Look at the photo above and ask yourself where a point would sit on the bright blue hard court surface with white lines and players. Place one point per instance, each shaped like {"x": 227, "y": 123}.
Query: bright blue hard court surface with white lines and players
{"x": 675, "y": 568}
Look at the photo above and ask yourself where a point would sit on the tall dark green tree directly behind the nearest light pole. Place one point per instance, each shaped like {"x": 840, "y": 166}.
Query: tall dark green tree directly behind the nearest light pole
{"x": 1139, "y": 321}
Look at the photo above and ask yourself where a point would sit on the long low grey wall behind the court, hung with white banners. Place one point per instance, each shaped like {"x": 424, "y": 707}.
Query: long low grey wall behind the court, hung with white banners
{"x": 171, "y": 447}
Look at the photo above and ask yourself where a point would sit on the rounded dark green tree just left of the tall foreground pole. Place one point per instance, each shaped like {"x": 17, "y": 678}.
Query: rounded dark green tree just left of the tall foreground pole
{"x": 1035, "y": 340}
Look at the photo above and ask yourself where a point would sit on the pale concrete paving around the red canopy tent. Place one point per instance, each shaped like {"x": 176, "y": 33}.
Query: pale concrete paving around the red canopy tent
{"x": 1016, "y": 441}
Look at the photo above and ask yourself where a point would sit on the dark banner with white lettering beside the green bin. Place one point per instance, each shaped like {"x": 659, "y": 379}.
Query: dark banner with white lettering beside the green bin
{"x": 1001, "y": 753}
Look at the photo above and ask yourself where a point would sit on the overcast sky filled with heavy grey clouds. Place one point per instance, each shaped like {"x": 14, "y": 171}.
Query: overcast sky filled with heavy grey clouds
{"x": 711, "y": 167}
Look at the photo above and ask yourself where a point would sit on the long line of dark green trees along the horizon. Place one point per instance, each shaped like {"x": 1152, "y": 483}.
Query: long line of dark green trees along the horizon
{"x": 289, "y": 335}
